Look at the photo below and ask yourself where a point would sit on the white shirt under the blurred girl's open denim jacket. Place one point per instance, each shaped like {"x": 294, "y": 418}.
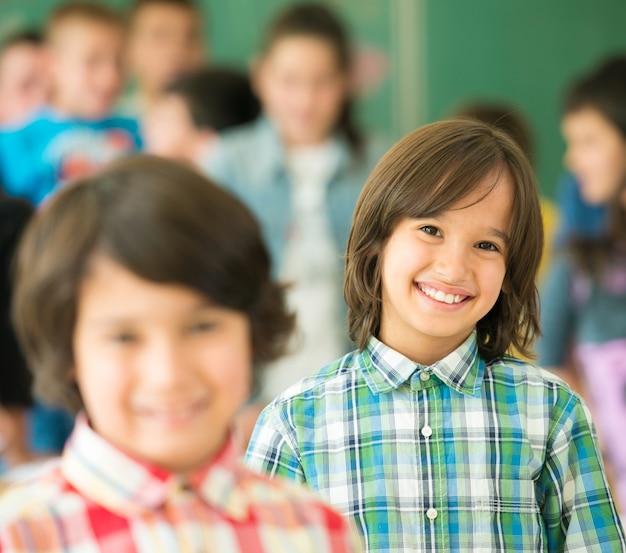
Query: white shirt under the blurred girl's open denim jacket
{"x": 312, "y": 266}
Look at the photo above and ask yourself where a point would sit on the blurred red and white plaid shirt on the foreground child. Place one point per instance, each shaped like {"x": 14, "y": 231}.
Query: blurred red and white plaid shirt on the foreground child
{"x": 99, "y": 499}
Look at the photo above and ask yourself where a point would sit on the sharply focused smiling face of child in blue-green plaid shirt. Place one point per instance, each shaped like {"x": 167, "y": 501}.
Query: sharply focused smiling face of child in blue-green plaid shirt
{"x": 442, "y": 274}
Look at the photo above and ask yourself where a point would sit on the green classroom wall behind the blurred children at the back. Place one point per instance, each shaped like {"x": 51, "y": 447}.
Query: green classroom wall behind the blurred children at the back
{"x": 439, "y": 54}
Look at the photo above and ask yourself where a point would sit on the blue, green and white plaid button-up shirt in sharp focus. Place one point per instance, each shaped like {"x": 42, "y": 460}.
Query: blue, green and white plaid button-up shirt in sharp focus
{"x": 462, "y": 455}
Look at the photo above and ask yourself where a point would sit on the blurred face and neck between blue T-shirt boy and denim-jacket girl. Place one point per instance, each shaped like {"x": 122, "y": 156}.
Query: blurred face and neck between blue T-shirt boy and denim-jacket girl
{"x": 165, "y": 41}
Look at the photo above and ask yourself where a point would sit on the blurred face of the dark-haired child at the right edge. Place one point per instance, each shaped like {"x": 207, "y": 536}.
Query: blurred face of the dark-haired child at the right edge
{"x": 596, "y": 154}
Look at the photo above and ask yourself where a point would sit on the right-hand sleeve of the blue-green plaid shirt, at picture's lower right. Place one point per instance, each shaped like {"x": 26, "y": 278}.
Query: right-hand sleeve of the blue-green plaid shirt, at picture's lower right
{"x": 577, "y": 508}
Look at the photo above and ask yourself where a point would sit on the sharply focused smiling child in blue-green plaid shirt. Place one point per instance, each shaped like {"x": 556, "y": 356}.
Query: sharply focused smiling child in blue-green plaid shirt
{"x": 428, "y": 435}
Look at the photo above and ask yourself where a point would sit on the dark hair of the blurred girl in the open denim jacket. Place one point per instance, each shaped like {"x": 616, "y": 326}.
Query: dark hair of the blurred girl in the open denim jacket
{"x": 317, "y": 21}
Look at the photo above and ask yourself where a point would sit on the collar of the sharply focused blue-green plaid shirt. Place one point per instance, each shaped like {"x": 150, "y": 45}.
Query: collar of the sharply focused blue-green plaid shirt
{"x": 385, "y": 369}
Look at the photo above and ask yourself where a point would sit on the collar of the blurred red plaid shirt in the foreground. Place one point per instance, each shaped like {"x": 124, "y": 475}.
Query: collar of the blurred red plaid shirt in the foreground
{"x": 128, "y": 486}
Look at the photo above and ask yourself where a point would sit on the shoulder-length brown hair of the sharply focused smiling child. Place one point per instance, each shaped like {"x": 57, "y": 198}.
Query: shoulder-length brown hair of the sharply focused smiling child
{"x": 424, "y": 174}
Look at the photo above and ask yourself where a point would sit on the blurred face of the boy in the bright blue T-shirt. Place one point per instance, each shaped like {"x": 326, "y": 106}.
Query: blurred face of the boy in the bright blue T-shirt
{"x": 86, "y": 66}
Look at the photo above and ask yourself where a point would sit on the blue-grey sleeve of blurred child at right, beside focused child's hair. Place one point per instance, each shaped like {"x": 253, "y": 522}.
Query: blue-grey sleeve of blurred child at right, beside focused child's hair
{"x": 557, "y": 314}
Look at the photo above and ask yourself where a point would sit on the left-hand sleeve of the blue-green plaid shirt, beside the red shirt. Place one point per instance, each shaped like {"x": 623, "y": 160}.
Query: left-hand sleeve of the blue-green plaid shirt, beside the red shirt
{"x": 272, "y": 450}
